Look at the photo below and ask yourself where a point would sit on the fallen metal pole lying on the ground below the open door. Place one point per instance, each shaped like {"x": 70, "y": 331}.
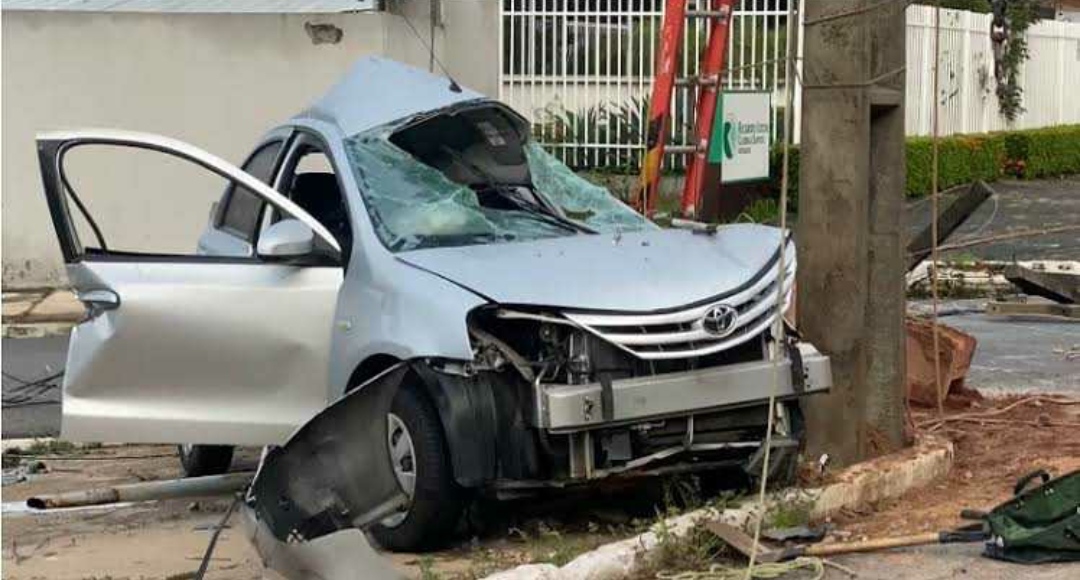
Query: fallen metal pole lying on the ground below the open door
{"x": 187, "y": 488}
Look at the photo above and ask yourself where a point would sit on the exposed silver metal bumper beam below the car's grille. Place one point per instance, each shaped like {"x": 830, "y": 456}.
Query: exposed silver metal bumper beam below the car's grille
{"x": 577, "y": 408}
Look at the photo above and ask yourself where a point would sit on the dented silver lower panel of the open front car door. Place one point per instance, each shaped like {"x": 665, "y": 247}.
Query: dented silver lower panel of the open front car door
{"x": 200, "y": 353}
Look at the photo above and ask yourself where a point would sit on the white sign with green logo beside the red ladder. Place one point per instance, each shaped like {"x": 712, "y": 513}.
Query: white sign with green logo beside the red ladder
{"x": 741, "y": 137}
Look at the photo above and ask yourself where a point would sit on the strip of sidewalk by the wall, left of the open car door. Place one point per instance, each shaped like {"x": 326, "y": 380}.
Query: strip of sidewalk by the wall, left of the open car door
{"x": 40, "y": 313}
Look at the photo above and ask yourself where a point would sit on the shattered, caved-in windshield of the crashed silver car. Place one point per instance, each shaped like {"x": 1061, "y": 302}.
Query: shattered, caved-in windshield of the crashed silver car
{"x": 456, "y": 194}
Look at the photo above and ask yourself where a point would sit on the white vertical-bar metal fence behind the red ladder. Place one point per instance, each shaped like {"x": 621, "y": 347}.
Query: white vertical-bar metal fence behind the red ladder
{"x": 582, "y": 71}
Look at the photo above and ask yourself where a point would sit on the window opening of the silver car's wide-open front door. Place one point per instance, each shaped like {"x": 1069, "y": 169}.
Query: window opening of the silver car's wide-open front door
{"x": 137, "y": 199}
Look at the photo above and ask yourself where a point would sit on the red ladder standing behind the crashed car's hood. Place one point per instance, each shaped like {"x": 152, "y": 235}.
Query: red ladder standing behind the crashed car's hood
{"x": 677, "y": 14}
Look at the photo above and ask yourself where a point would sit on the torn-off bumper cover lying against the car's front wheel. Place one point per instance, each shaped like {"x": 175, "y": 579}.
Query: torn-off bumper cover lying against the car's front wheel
{"x": 333, "y": 478}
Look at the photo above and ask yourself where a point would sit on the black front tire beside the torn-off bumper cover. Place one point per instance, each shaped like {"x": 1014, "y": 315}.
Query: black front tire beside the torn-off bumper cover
{"x": 438, "y": 502}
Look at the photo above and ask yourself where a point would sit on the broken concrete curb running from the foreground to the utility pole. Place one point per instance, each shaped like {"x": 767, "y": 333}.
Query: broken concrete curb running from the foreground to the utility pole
{"x": 884, "y": 478}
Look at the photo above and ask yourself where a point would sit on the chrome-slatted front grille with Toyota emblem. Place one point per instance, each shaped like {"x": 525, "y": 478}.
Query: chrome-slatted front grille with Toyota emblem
{"x": 680, "y": 334}
